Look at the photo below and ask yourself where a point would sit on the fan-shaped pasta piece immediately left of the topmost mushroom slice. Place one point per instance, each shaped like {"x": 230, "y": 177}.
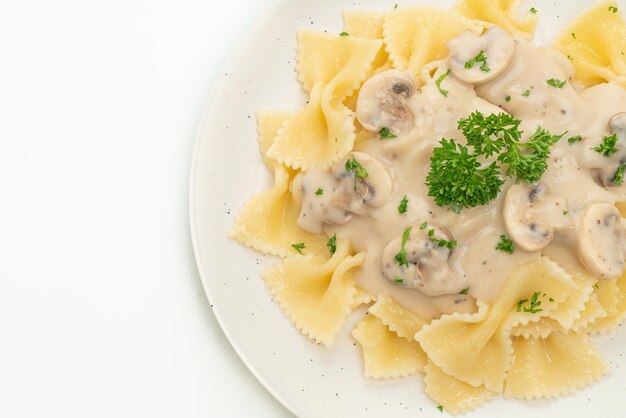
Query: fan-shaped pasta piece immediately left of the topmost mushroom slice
{"x": 417, "y": 36}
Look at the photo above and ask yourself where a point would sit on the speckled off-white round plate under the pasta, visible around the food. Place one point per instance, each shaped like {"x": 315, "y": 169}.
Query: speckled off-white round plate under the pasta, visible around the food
{"x": 311, "y": 380}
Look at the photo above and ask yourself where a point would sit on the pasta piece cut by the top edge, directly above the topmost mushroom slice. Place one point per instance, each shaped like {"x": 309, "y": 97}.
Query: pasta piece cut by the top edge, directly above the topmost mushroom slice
{"x": 504, "y": 13}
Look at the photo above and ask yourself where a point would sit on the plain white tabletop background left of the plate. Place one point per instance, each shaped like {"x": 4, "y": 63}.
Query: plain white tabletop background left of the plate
{"x": 101, "y": 309}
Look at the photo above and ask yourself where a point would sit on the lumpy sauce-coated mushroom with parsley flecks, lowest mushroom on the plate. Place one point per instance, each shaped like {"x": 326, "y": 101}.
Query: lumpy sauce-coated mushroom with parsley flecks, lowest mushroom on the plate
{"x": 420, "y": 261}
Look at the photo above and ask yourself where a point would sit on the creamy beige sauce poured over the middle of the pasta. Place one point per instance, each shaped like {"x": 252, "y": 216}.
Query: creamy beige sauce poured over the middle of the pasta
{"x": 571, "y": 177}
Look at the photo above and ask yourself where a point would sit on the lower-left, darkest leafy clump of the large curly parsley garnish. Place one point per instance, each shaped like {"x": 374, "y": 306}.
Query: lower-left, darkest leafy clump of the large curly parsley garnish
{"x": 458, "y": 180}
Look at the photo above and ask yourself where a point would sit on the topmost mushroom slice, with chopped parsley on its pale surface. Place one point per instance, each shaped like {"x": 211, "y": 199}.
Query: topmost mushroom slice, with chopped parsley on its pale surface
{"x": 477, "y": 59}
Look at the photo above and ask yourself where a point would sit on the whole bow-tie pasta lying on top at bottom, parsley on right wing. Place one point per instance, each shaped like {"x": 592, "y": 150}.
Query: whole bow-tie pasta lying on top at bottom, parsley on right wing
{"x": 476, "y": 348}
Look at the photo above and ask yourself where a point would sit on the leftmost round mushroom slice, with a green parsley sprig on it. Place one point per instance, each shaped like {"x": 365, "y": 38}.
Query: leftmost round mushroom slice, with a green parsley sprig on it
{"x": 363, "y": 181}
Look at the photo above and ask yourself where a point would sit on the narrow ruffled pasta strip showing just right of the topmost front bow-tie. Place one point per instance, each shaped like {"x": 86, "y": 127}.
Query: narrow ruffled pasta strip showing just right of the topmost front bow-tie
{"x": 565, "y": 316}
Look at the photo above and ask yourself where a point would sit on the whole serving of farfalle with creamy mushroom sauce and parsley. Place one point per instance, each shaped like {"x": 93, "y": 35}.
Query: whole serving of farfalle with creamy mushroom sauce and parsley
{"x": 462, "y": 183}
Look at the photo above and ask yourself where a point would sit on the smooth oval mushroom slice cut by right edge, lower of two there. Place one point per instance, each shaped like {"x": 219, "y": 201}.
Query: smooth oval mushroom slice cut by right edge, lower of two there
{"x": 601, "y": 241}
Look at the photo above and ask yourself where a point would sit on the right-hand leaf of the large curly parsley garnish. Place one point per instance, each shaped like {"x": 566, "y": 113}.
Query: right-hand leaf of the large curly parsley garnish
{"x": 527, "y": 160}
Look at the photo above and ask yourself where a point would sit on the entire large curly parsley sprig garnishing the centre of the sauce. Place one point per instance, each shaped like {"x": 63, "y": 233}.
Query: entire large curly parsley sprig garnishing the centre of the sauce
{"x": 460, "y": 178}
